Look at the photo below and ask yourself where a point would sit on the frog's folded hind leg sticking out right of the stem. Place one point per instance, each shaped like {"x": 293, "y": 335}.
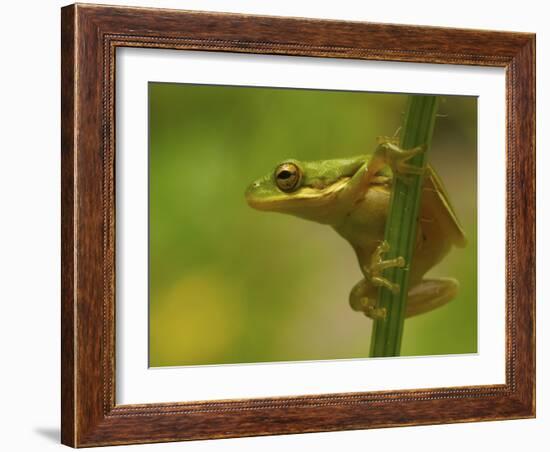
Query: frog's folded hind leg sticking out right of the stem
{"x": 430, "y": 294}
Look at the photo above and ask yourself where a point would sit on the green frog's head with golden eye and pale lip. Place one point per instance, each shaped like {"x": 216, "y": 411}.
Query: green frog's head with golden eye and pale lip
{"x": 307, "y": 190}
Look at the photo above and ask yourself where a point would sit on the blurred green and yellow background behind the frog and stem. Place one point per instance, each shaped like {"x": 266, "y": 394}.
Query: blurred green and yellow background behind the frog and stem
{"x": 229, "y": 284}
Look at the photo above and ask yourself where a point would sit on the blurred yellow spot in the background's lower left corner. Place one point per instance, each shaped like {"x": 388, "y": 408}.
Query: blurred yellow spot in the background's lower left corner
{"x": 194, "y": 322}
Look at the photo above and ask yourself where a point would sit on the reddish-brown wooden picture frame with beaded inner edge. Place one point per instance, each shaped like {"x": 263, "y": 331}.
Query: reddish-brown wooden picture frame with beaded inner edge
{"x": 90, "y": 36}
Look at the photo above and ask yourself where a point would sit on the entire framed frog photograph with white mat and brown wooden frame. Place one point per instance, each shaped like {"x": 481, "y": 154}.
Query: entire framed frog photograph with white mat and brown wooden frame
{"x": 280, "y": 225}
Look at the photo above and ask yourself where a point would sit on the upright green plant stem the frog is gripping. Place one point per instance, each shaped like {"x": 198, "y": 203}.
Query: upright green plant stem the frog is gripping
{"x": 401, "y": 225}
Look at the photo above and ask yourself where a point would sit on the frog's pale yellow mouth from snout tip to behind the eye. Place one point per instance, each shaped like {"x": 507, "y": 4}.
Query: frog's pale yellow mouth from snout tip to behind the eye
{"x": 303, "y": 197}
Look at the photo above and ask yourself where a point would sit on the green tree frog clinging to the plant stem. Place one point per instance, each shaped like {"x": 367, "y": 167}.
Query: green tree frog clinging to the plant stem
{"x": 352, "y": 196}
